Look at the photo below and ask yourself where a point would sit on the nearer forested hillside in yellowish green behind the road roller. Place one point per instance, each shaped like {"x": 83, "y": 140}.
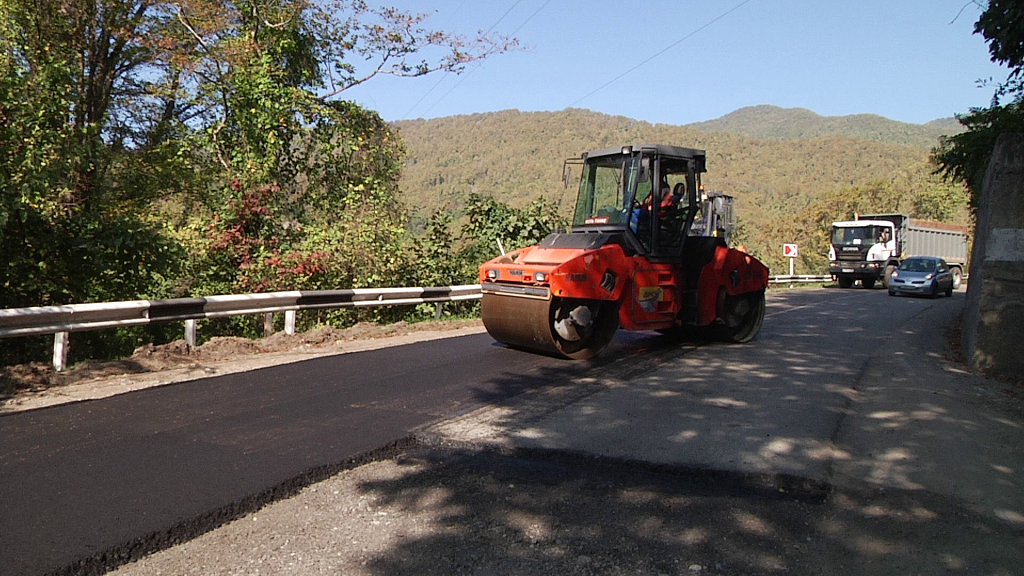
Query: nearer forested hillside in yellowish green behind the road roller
{"x": 786, "y": 189}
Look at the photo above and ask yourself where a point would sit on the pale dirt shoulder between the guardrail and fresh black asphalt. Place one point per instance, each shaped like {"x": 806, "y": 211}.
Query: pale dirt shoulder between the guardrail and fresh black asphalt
{"x": 37, "y": 386}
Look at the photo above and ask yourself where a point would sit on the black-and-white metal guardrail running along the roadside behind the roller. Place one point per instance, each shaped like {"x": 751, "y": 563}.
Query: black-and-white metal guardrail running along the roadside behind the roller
{"x": 63, "y": 320}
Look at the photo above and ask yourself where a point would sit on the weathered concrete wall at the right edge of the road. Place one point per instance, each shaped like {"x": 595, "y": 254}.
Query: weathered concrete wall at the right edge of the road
{"x": 994, "y": 319}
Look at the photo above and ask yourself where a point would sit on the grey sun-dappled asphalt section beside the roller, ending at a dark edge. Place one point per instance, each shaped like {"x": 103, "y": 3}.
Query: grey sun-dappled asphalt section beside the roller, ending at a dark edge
{"x": 770, "y": 407}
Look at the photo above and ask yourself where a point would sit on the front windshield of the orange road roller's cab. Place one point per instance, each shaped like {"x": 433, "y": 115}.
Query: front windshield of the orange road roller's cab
{"x": 606, "y": 190}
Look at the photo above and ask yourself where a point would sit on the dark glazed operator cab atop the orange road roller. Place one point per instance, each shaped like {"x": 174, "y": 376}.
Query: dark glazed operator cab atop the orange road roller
{"x": 646, "y": 195}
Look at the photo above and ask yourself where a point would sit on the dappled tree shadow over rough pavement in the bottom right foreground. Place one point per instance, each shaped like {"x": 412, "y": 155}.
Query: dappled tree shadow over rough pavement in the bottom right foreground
{"x": 482, "y": 513}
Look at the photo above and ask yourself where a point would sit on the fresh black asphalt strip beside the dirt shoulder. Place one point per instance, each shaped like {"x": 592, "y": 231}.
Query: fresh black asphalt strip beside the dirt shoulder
{"x": 81, "y": 479}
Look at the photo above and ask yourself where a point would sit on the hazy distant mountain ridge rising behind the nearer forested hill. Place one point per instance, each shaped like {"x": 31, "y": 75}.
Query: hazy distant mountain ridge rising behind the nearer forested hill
{"x": 788, "y": 124}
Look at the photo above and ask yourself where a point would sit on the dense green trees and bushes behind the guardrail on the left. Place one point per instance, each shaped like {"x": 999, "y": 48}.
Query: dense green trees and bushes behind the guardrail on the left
{"x": 172, "y": 149}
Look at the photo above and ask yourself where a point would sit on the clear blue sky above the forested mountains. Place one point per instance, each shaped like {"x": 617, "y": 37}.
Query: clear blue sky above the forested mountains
{"x": 906, "y": 60}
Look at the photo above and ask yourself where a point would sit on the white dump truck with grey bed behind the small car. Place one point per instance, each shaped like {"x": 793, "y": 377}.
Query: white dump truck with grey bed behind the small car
{"x": 872, "y": 246}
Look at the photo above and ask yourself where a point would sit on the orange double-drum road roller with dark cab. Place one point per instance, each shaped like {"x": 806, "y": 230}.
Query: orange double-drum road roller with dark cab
{"x": 648, "y": 251}
